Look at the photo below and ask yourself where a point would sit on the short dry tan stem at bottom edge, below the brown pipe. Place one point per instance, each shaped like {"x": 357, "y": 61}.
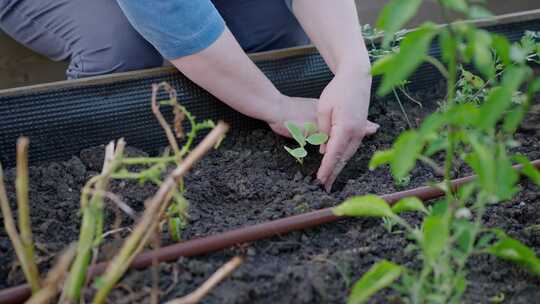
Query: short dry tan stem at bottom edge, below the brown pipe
{"x": 223, "y": 272}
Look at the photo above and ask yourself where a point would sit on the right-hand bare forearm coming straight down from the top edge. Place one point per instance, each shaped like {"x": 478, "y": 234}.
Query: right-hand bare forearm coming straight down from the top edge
{"x": 334, "y": 29}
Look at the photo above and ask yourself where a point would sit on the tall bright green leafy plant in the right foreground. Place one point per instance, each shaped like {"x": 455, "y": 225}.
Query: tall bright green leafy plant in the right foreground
{"x": 478, "y": 132}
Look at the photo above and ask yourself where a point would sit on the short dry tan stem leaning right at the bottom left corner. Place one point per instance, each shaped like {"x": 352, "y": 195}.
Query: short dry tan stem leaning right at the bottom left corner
{"x": 54, "y": 277}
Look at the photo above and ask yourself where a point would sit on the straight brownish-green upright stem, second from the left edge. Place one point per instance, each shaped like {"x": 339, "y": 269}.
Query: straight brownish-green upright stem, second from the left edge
{"x": 25, "y": 226}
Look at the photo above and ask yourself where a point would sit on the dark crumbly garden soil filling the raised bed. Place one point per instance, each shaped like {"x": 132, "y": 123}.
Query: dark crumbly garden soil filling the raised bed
{"x": 251, "y": 179}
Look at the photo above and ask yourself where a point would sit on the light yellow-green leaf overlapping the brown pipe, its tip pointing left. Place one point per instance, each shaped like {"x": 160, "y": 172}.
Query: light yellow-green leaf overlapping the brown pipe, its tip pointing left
{"x": 364, "y": 206}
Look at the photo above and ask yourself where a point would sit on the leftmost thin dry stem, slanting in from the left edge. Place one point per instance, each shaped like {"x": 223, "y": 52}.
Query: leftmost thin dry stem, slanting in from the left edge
{"x": 13, "y": 234}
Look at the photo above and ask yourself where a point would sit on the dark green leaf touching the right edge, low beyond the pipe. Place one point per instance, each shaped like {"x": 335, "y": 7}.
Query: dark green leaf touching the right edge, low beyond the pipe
{"x": 513, "y": 250}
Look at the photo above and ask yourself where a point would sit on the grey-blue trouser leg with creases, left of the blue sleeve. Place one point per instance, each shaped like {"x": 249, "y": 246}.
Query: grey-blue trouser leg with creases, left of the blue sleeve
{"x": 94, "y": 35}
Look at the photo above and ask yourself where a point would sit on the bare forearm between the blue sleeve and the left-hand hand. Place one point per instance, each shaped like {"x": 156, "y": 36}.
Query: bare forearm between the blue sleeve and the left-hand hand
{"x": 224, "y": 70}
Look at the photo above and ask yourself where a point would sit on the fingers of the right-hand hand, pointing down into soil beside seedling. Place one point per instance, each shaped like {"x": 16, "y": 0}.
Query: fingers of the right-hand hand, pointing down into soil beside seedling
{"x": 335, "y": 148}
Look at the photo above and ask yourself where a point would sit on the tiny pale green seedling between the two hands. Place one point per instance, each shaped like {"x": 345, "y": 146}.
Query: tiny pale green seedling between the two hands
{"x": 308, "y": 135}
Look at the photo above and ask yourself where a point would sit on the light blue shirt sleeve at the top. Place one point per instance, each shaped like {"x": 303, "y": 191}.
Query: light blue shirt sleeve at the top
{"x": 176, "y": 28}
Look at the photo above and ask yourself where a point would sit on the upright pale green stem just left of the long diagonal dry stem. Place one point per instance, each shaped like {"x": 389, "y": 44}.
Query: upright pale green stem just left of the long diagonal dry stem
{"x": 91, "y": 226}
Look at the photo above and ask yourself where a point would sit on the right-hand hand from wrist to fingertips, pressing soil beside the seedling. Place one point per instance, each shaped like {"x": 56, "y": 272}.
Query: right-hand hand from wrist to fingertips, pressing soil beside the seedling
{"x": 342, "y": 113}
